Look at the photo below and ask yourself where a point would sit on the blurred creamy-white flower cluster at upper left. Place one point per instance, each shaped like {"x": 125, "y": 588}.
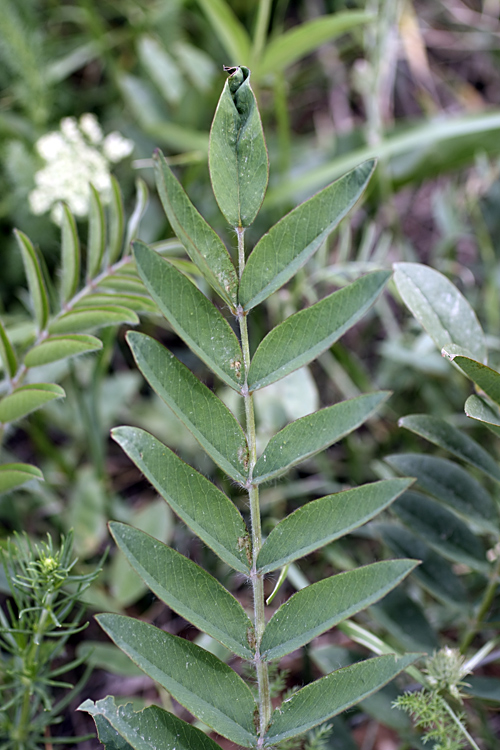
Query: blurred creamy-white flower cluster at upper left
{"x": 75, "y": 156}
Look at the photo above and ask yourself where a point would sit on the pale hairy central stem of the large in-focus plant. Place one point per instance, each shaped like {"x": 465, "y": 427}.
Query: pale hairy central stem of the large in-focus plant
{"x": 256, "y": 578}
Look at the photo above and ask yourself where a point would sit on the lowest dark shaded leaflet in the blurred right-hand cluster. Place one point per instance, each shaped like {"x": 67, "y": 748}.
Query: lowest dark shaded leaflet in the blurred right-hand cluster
{"x": 405, "y": 620}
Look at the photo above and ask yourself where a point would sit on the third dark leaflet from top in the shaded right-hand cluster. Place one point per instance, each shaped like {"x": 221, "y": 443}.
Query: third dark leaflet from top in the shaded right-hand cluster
{"x": 441, "y": 529}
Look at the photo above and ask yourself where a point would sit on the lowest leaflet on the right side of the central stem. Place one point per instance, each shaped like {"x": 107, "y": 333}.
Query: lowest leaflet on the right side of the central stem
{"x": 330, "y": 695}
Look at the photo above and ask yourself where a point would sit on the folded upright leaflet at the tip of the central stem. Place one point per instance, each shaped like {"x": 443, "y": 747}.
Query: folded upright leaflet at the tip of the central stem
{"x": 237, "y": 153}
